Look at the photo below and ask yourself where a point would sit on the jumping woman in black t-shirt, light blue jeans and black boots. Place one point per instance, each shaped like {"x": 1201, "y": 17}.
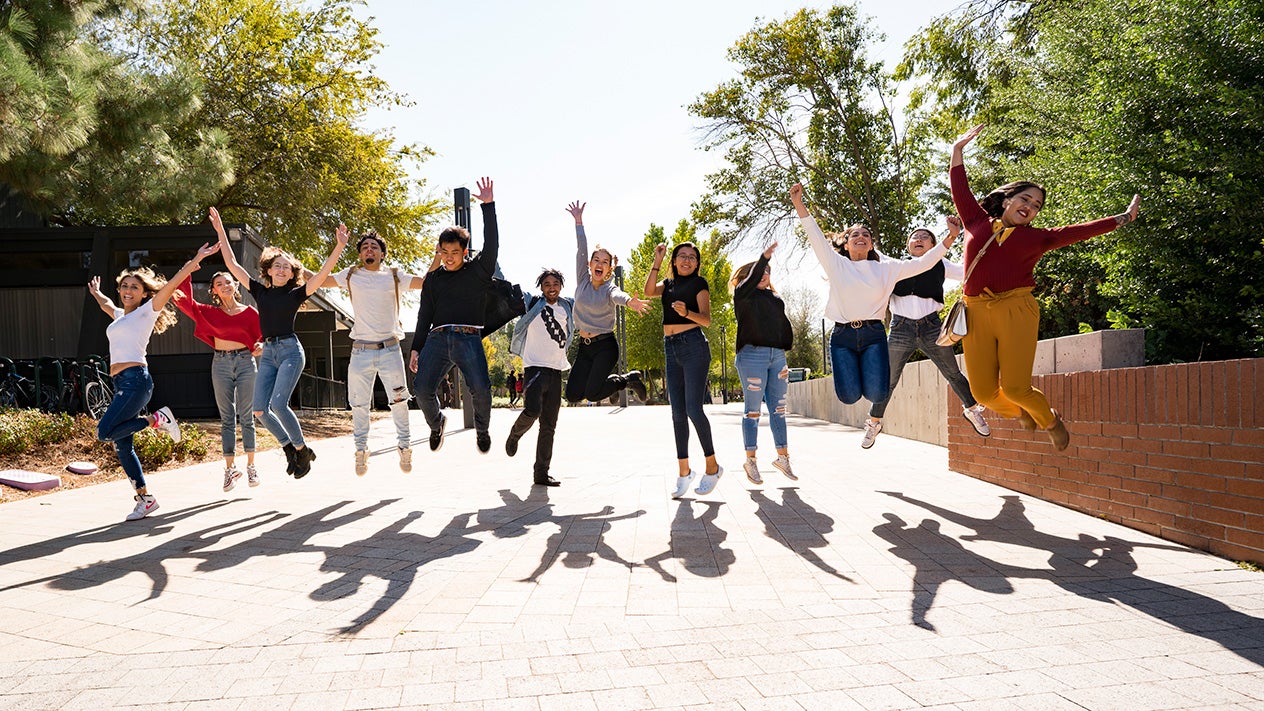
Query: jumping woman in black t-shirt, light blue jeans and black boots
{"x": 279, "y": 298}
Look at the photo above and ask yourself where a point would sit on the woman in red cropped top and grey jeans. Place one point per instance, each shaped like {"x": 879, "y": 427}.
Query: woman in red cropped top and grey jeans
{"x": 232, "y": 330}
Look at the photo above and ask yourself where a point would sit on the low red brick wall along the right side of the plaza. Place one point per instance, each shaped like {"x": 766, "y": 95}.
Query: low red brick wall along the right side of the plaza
{"x": 1174, "y": 451}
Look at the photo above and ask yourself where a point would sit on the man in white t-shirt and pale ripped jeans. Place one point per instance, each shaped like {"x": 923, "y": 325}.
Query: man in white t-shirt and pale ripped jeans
{"x": 375, "y": 290}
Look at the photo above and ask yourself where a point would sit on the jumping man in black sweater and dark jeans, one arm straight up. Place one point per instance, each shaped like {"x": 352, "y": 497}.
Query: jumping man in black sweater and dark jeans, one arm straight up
{"x": 451, "y": 325}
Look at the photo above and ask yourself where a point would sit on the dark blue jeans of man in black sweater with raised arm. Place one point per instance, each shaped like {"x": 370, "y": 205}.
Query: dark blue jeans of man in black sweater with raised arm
{"x": 444, "y": 350}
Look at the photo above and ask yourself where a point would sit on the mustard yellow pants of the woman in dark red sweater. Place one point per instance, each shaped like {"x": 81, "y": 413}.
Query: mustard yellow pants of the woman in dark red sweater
{"x": 1002, "y": 332}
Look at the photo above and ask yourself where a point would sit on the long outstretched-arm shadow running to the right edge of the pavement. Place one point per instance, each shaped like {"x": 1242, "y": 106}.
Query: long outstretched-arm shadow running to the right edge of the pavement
{"x": 1105, "y": 570}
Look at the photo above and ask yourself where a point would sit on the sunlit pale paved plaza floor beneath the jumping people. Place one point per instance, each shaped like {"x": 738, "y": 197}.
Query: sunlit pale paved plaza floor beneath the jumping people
{"x": 880, "y": 580}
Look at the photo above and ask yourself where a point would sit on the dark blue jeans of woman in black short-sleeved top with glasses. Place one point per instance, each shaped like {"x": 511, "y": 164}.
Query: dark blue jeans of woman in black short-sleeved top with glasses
{"x": 688, "y": 357}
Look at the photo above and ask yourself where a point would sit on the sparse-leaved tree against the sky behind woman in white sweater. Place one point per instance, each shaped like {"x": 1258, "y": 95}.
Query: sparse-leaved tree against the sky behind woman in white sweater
{"x": 811, "y": 107}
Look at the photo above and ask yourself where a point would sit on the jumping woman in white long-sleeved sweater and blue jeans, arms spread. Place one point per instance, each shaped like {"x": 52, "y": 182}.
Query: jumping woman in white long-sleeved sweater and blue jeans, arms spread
{"x": 860, "y": 287}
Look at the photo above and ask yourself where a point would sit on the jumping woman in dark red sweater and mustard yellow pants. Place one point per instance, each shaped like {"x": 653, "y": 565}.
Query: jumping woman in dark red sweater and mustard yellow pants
{"x": 1003, "y": 318}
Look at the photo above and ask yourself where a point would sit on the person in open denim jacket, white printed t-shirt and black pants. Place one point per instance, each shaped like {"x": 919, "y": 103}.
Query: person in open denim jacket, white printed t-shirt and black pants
{"x": 542, "y": 338}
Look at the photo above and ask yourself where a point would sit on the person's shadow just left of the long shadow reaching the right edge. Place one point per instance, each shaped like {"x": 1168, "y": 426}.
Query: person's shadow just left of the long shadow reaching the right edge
{"x": 937, "y": 559}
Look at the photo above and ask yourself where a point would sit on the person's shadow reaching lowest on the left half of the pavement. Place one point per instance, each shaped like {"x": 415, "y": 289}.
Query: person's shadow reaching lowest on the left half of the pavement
{"x": 395, "y": 556}
